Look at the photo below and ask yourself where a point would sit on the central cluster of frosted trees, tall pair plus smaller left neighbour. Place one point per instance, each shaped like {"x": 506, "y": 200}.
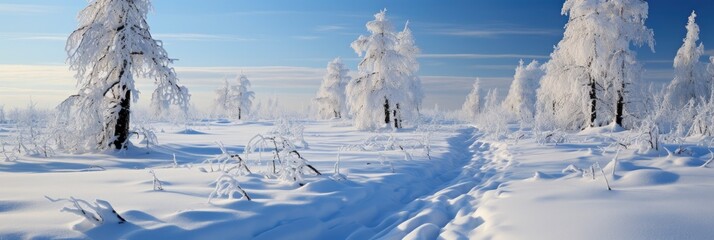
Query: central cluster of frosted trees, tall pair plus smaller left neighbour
{"x": 387, "y": 91}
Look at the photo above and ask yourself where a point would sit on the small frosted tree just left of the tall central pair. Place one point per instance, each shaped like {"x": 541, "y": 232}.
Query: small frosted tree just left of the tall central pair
{"x": 331, "y": 100}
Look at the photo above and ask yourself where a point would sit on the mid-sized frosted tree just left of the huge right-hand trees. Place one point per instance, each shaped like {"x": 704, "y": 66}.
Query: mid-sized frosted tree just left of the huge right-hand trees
{"x": 521, "y": 96}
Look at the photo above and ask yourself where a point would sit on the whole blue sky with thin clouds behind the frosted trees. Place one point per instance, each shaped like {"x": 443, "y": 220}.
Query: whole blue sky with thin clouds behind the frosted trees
{"x": 283, "y": 45}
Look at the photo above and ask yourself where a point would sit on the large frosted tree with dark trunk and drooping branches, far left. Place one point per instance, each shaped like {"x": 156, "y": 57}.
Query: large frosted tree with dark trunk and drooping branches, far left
{"x": 111, "y": 46}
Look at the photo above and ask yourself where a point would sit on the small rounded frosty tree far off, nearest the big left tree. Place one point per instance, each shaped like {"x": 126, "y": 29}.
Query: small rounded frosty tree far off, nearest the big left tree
{"x": 236, "y": 100}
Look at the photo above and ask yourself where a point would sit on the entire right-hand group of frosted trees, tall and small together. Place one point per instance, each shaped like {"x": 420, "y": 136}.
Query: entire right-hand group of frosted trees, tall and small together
{"x": 593, "y": 77}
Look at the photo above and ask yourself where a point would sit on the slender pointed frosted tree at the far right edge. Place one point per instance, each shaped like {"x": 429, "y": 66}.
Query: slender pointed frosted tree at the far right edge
{"x": 691, "y": 80}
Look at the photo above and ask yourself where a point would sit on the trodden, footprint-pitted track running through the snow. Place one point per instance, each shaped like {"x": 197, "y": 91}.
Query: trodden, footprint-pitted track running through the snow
{"x": 448, "y": 212}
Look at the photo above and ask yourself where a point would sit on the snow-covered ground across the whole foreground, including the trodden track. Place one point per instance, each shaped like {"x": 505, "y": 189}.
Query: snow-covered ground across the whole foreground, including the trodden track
{"x": 468, "y": 186}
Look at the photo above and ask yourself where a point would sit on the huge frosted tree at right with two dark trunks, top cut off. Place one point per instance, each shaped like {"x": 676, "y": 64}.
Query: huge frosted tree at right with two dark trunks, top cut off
{"x": 592, "y": 68}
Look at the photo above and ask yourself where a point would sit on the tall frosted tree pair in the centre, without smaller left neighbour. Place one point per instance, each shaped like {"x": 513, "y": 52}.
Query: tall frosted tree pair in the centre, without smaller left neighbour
{"x": 384, "y": 92}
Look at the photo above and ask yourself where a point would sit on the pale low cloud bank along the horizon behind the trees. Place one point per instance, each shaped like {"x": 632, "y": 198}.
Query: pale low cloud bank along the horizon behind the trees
{"x": 47, "y": 85}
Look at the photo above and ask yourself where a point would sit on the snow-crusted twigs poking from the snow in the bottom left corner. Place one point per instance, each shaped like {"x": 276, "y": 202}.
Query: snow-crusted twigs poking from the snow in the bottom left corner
{"x": 98, "y": 213}
